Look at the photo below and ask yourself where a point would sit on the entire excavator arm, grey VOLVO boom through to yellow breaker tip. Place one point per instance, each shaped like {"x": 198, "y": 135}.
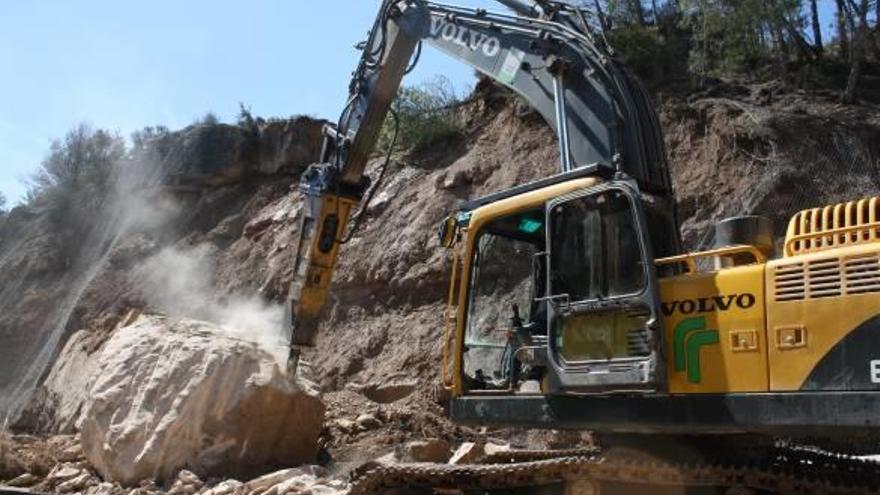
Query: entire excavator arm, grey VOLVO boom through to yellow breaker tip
{"x": 550, "y": 56}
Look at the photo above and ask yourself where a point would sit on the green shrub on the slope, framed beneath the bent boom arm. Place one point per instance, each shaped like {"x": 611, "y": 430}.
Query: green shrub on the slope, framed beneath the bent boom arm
{"x": 427, "y": 113}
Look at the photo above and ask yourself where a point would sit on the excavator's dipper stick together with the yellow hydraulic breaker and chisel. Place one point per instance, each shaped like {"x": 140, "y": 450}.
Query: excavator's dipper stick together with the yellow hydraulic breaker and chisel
{"x": 334, "y": 187}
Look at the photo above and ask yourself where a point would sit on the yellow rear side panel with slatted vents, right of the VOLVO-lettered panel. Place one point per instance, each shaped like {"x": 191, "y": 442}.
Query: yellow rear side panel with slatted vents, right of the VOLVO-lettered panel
{"x": 824, "y": 319}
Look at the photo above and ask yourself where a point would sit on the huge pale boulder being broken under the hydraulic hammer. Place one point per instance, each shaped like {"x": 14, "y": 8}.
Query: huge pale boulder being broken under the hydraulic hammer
{"x": 171, "y": 394}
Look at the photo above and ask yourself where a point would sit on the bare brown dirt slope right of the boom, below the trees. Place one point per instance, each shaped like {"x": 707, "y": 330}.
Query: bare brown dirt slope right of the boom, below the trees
{"x": 760, "y": 149}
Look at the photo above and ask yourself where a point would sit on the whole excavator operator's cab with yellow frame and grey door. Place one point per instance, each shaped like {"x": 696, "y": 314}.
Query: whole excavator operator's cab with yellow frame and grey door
{"x": 557, "y": 292}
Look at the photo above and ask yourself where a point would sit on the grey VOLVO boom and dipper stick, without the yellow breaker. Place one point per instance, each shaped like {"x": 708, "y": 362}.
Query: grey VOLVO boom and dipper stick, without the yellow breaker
{"x": 602, "y": 115}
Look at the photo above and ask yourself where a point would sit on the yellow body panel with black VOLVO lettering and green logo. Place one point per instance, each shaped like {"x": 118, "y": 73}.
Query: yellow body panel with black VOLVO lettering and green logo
{"x": 714, "y": 331}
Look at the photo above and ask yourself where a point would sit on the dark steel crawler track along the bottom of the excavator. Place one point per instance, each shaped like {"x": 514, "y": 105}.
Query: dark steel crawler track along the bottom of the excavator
{"x": 795, "y": 471}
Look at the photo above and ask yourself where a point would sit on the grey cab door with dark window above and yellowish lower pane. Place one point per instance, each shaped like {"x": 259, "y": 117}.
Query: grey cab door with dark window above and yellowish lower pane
{"x": 603, "y": 306}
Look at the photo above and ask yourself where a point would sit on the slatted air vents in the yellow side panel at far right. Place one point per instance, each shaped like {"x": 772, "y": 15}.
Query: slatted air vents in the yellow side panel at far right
{"x": 828, "y": 277}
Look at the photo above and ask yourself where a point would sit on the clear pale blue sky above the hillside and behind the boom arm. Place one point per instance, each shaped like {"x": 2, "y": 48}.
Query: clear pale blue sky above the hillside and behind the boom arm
{"x": 124, "y": 65}
